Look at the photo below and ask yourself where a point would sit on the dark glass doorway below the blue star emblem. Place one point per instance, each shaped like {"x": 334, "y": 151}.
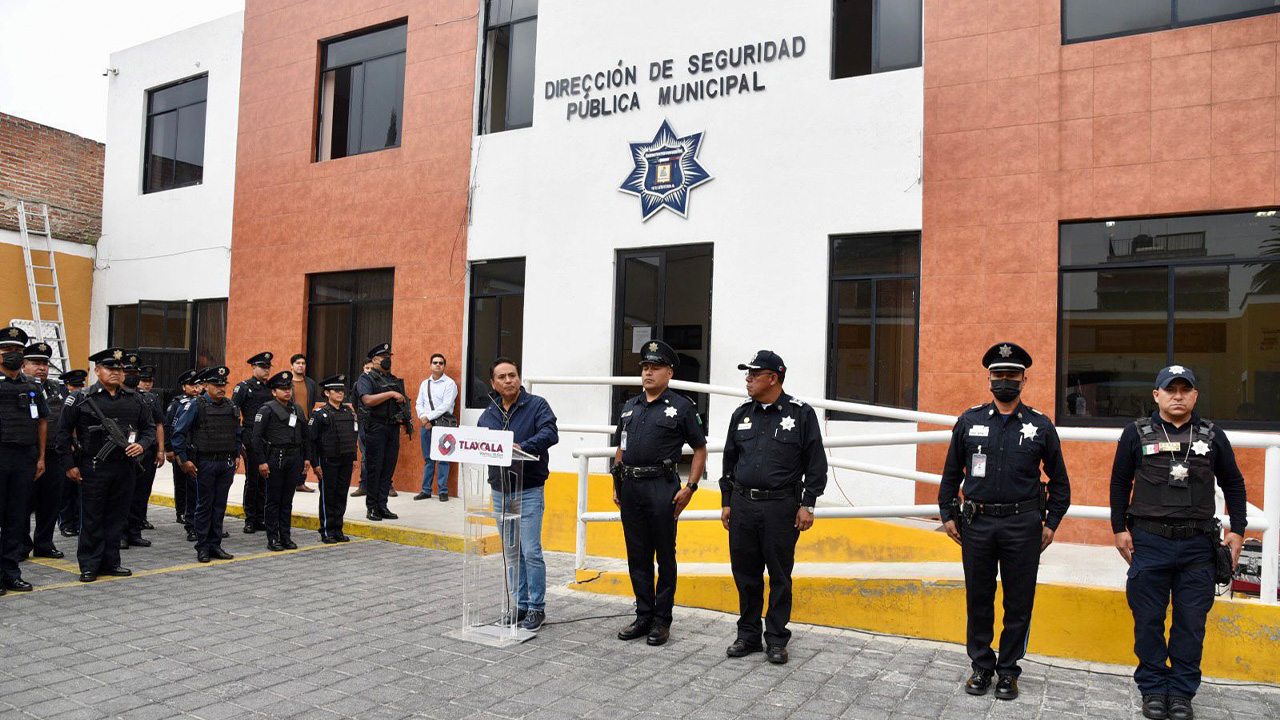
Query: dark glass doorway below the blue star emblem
{"x": 665, "y": 294}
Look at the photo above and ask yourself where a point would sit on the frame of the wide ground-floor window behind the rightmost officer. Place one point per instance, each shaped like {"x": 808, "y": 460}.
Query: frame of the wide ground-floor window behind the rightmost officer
{"x": 1171, "y": 267}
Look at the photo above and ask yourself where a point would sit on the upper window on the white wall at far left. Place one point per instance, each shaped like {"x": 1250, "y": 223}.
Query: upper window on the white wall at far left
{"x": 176, "y": 135}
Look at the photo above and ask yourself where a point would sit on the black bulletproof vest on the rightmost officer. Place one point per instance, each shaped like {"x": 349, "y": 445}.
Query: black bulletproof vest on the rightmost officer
{"x": 1158, "y": 493}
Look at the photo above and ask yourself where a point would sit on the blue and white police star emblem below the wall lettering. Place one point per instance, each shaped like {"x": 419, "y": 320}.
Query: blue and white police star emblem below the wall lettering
{"x": 666, "y": 171}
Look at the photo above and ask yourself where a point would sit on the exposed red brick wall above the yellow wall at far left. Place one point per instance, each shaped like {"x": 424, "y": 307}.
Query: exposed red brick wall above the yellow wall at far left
{"x": 52, "y": 166}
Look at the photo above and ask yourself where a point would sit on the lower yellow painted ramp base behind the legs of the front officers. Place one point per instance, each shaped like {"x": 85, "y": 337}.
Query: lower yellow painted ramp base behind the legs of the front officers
{"x": 1077, "y": 622}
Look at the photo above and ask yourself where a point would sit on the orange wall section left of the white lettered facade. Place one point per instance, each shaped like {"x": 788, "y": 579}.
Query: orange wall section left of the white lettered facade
{"x": 403, "y": 208}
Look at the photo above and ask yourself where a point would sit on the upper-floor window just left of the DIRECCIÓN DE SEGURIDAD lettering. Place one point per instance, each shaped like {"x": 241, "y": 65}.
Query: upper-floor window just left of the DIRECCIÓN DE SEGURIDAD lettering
{"x": 511, "y": 43}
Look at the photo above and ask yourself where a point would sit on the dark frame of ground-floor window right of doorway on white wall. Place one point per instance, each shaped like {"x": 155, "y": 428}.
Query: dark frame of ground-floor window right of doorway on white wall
{"x": 834, "y": 325}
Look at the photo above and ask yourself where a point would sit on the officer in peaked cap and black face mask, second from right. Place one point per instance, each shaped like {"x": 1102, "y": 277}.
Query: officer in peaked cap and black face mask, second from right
{"x": 1008, "y": 518}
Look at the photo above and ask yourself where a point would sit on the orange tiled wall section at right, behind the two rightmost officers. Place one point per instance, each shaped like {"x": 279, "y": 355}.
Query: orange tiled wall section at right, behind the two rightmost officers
{"x": 1022, "y": 133}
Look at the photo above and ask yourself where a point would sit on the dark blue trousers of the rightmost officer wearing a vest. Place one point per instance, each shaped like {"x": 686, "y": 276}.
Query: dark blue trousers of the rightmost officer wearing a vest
{"x": 1164, "y": 571}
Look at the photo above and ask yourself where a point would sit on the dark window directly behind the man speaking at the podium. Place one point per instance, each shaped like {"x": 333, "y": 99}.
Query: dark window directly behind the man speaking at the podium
{"x": 497, "y": 317}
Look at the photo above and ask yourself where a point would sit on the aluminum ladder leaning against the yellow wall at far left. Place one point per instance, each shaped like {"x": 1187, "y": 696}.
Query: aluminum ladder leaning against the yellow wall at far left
{"x": 38, "y": 239}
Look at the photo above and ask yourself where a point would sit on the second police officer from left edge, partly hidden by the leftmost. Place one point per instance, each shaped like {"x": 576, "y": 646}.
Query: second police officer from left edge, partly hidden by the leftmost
{"x": 47, "y": 495}
